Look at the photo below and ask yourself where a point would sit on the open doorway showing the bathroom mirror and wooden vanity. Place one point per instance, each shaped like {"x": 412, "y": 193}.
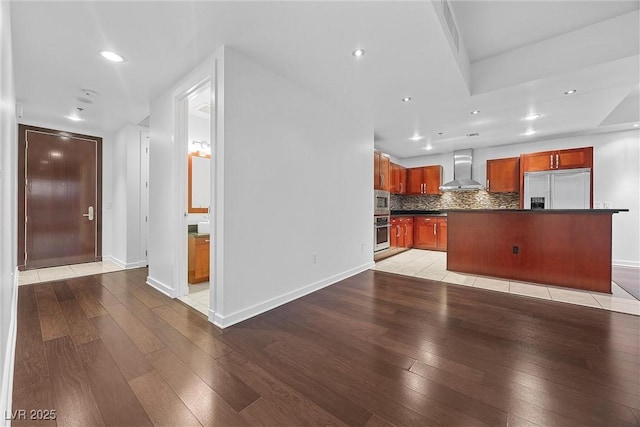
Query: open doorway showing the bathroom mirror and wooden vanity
{"x": 198, "y": 147}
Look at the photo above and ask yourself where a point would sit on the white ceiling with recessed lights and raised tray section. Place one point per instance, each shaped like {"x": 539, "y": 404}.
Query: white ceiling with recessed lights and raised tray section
{"x": 514, "y": 58}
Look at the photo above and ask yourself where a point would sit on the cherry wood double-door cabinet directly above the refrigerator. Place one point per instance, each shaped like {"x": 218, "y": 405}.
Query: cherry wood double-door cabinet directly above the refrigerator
{"x": 557, "y": 159}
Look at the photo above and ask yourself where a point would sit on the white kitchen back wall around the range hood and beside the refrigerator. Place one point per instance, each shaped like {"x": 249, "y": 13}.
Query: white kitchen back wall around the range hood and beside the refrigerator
{"x": 616, "y": 178}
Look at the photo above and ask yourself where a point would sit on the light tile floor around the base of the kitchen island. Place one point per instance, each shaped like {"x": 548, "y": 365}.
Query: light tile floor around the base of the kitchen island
{"x": 433, "y": 265}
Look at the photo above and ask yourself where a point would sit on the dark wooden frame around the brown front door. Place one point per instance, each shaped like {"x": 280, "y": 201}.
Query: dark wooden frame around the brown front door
{"x": 23, "y": 130}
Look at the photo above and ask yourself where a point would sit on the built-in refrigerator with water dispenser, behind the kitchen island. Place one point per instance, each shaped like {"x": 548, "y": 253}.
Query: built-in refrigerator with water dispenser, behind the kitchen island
{"x": 559, "y": 189}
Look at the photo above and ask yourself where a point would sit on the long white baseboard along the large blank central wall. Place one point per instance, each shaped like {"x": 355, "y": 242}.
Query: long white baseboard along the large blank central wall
{"x": 239, "y": 316}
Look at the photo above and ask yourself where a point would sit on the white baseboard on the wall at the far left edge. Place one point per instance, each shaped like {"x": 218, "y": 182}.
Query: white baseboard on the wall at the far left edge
{"x": 6, "y": 390}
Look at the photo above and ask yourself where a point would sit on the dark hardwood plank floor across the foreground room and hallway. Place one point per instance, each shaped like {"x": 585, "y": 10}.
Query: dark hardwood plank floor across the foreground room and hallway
{"x": 376, "y": 349}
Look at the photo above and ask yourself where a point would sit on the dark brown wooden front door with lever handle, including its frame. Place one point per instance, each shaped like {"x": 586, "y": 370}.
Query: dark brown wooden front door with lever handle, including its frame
{"x": 61, "y": 201}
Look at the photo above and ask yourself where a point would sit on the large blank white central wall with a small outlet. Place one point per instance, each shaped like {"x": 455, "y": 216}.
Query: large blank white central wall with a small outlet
{"x": 297, "y": 181}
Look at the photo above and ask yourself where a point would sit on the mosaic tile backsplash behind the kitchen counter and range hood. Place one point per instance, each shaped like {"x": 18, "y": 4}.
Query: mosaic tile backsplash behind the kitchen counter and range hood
{"x": 478, "y": 199}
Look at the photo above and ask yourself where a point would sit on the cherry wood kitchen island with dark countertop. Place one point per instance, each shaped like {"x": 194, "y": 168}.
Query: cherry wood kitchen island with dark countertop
{"x": 570, "y": 248}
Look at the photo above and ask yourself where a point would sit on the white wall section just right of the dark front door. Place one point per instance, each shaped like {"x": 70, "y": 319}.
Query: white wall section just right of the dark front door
{"x": 124, "y": 170}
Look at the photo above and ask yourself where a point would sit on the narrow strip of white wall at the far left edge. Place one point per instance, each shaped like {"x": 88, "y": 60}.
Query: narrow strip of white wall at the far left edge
{"x": 8, "y": 212}
